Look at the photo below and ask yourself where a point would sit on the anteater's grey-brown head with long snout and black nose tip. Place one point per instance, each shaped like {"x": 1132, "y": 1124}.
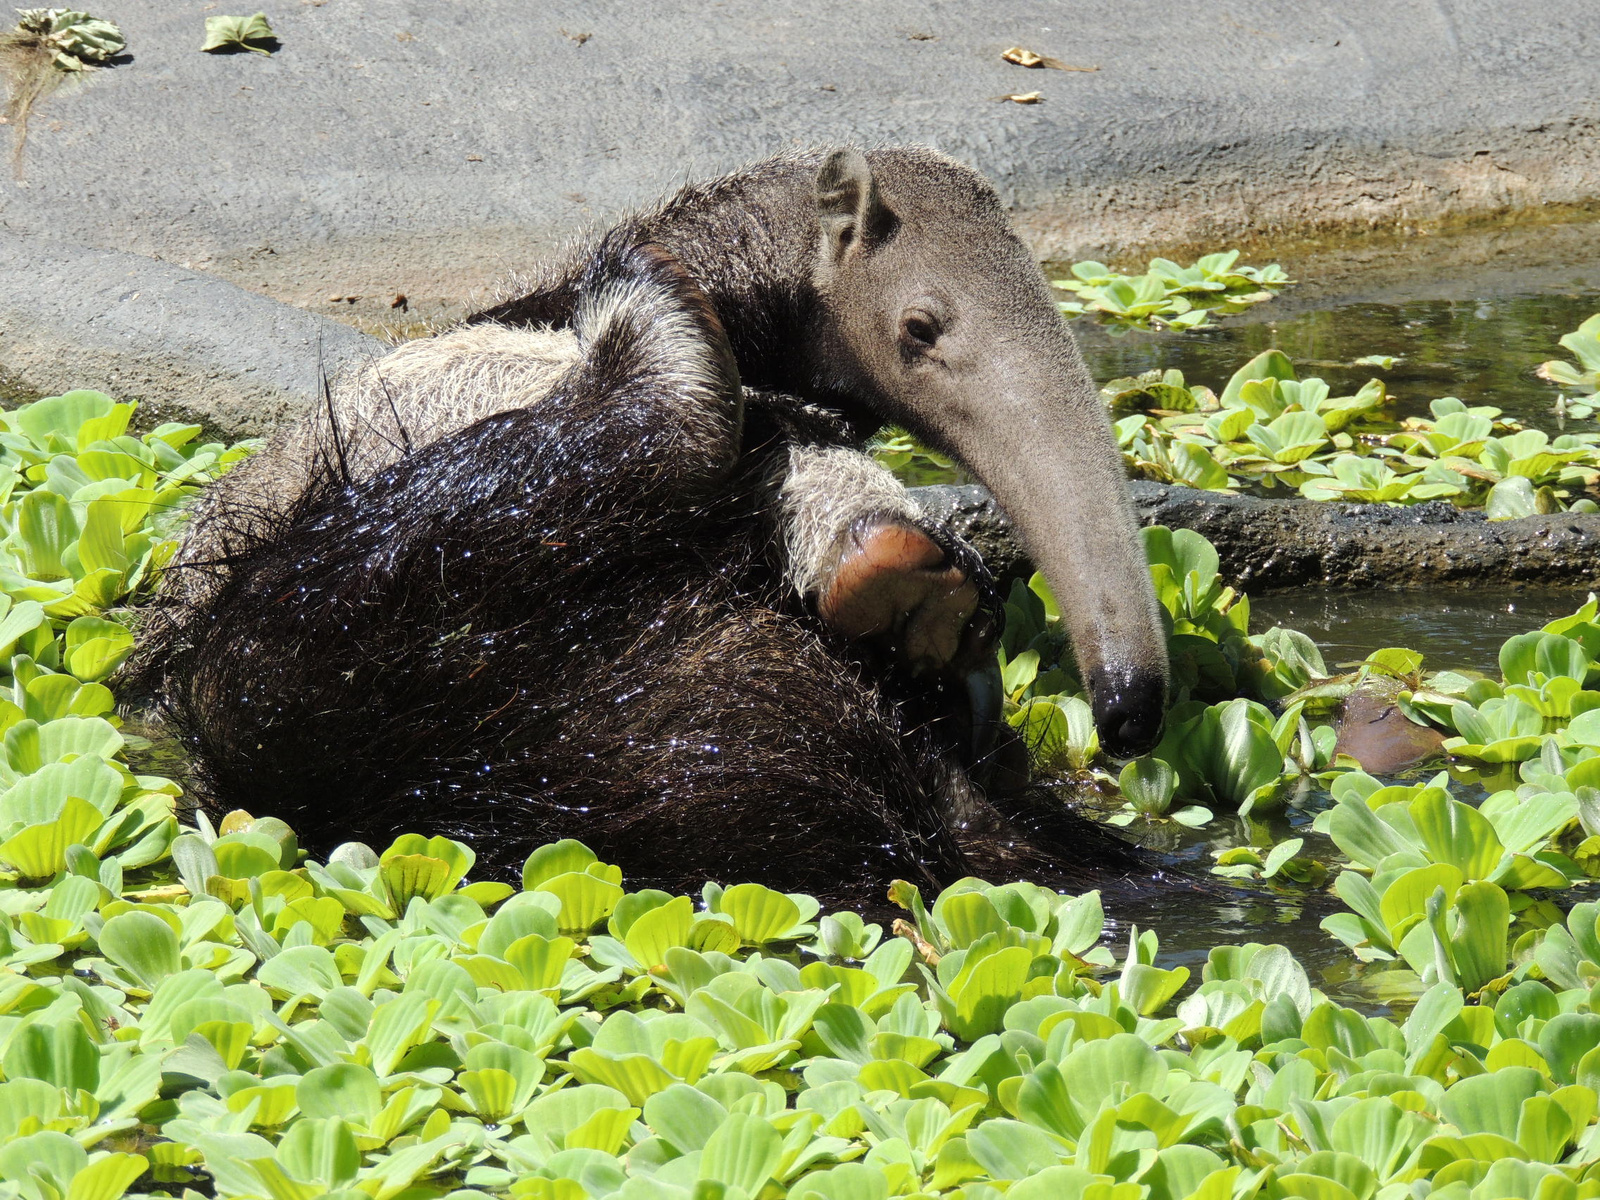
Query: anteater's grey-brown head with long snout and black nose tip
{"x": 937, "y": 316}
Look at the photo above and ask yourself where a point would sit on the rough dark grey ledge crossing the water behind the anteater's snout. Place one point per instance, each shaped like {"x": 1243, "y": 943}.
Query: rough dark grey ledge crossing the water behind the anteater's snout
{"x": 1273, "y": 545}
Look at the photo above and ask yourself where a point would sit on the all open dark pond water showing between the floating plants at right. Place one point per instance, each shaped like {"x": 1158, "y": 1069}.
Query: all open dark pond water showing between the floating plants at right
{"x": 1468, "y": 316}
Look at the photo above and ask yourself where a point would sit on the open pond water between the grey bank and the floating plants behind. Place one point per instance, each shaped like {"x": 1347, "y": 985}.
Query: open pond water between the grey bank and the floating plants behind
{"x": 1470, "y": 316}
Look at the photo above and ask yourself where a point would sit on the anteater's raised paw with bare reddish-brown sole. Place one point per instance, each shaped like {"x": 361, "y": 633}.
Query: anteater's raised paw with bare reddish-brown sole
{"x": 921, "y": 593}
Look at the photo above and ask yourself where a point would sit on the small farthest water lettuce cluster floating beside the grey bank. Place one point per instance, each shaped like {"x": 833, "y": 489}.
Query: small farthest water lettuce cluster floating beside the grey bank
{"x": 1169, "y": 294}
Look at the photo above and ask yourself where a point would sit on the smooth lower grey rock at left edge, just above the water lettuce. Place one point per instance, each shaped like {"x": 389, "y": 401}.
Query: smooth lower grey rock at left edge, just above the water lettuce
{"x": 186, "y": 346}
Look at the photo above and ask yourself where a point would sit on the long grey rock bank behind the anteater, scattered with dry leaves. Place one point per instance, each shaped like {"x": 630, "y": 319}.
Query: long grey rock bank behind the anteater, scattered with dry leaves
{"x": 428, "y": 150}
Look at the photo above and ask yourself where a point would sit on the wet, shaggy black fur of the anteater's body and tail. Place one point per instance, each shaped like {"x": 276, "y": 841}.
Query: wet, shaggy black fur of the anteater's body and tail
{"x": 566, "y": 622}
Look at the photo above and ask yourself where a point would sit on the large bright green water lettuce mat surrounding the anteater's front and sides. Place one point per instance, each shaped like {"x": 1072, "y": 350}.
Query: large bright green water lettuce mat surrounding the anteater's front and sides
{"x": 196, "y": 1009}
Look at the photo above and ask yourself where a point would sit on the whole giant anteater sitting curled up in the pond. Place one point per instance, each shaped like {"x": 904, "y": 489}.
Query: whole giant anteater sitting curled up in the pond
{"x": 596, "y": 615}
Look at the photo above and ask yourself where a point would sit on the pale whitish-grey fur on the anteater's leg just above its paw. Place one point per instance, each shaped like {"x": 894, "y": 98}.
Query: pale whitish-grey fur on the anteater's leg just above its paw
{"x": 822, "y": 498}
